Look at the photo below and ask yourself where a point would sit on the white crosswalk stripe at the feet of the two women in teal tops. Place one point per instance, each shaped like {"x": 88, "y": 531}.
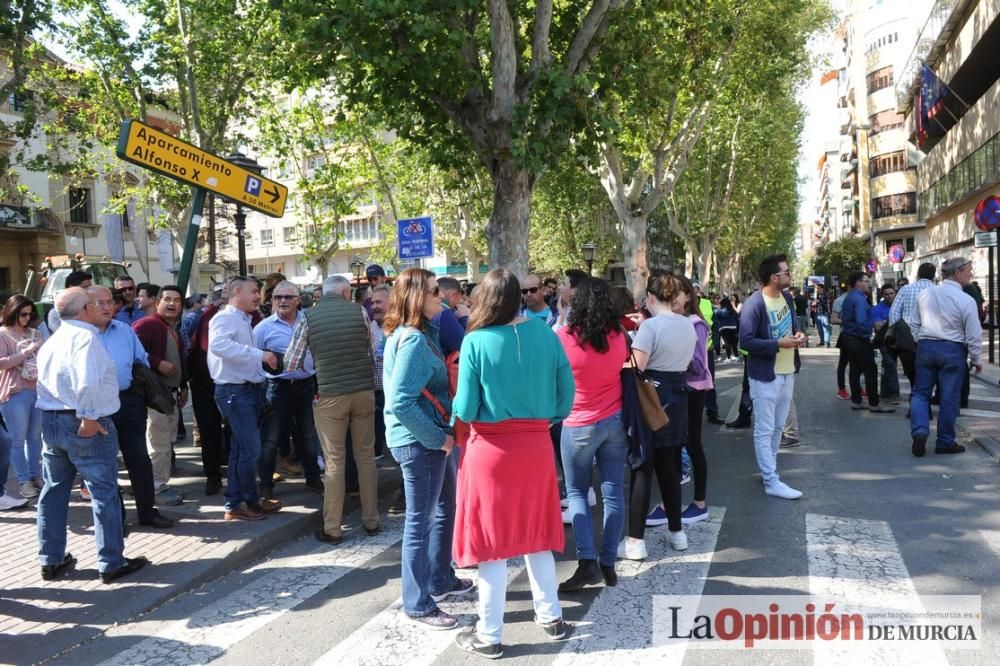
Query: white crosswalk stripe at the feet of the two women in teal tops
{"x": 390, "y": 638}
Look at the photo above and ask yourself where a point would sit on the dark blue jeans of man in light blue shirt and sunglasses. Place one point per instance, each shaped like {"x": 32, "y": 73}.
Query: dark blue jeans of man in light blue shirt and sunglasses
{"x": 291, "y": 413}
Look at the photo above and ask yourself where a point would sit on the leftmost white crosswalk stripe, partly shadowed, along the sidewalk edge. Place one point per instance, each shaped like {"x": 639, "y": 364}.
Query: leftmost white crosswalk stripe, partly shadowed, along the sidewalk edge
{"x": 212, "y": 630}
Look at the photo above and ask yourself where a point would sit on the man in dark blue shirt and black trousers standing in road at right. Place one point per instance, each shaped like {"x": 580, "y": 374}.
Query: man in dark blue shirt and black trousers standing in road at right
{"x": 856, "y": 339}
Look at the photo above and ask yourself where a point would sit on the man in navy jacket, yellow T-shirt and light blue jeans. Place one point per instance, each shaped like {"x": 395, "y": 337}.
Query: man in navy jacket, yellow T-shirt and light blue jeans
{"x": 769, "y": 334}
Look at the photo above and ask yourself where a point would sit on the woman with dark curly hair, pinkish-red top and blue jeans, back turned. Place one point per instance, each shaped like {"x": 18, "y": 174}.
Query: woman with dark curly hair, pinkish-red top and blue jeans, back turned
{"x": 596, "y": 349}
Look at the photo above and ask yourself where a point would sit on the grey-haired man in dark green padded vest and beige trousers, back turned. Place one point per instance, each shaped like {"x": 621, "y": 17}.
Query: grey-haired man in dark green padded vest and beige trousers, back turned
{"x": 337, "y": 333}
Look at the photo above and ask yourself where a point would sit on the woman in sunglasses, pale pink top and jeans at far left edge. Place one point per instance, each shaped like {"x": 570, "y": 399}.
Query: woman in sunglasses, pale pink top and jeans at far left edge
{"x": 19, "y": 345}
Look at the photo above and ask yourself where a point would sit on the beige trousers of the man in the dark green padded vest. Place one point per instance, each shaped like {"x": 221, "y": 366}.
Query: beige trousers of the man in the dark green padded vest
{"x": 334, "y": 414}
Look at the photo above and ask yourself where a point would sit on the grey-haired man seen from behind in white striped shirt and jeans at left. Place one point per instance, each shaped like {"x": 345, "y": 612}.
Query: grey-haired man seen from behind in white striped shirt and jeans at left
{"x": 78, "y": 393}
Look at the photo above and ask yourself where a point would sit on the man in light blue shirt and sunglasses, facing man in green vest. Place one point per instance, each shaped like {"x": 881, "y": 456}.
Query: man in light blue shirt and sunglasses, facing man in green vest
{"x": 289, "y": 394}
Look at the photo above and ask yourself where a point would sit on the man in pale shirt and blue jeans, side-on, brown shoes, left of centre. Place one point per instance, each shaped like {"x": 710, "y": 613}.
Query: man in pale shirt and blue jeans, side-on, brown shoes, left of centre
{"x": 237, "y": 368}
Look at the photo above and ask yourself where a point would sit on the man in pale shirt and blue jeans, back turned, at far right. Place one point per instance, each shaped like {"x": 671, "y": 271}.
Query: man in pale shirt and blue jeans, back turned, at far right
{"x": 948, "y": 334}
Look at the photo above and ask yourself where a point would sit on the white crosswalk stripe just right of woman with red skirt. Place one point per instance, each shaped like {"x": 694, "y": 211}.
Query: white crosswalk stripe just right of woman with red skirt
{"x": 618, "y": 625}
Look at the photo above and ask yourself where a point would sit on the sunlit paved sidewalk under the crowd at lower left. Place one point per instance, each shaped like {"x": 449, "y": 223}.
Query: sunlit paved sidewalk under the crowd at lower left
{"x": 39, "y": 619}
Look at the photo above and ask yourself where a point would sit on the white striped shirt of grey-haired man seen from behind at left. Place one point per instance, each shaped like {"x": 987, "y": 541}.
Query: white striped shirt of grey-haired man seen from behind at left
{"x": 75, "y": 372}
